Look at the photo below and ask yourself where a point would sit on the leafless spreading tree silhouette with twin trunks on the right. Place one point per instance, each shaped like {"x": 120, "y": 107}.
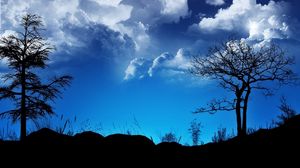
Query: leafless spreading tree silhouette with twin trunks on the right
{"x": 241, "y": 68}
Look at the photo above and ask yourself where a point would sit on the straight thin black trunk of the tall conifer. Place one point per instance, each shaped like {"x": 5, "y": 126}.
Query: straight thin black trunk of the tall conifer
{"x": 23, "y": 106}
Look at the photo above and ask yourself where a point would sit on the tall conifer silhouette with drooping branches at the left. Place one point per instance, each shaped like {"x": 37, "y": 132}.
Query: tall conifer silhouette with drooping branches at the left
{"x": 25, "y": 53}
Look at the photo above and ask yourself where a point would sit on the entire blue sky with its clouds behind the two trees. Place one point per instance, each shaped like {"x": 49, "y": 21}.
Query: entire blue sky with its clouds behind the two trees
{"x": 129, "y": 58}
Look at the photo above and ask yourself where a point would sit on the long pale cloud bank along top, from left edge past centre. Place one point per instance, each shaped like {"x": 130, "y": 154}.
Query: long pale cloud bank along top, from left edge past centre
{"x": 129, "y": 18}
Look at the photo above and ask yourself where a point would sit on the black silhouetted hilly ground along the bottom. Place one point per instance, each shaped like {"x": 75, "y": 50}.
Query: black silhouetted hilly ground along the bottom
{"x": 278, "y": 145}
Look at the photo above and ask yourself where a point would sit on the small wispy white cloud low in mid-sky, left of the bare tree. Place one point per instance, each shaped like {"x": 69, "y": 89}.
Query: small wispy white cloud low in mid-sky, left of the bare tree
{"x": 172, "y": 69}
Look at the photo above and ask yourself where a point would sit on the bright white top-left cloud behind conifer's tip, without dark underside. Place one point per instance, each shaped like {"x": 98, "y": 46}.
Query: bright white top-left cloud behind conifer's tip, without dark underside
{"x": 59, "y": 13}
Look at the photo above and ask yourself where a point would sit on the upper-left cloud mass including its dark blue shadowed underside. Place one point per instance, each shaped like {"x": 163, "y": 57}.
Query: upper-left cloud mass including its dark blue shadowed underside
{"x": 87, "y": 24}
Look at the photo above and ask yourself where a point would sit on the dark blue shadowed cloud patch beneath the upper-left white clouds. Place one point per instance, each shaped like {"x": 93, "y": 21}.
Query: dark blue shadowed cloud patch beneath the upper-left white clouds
{"x": 105, "y": 43}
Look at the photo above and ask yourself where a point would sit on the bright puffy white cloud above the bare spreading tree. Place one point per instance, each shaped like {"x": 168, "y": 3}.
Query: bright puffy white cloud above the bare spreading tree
{"x": 261, "y": 22}
